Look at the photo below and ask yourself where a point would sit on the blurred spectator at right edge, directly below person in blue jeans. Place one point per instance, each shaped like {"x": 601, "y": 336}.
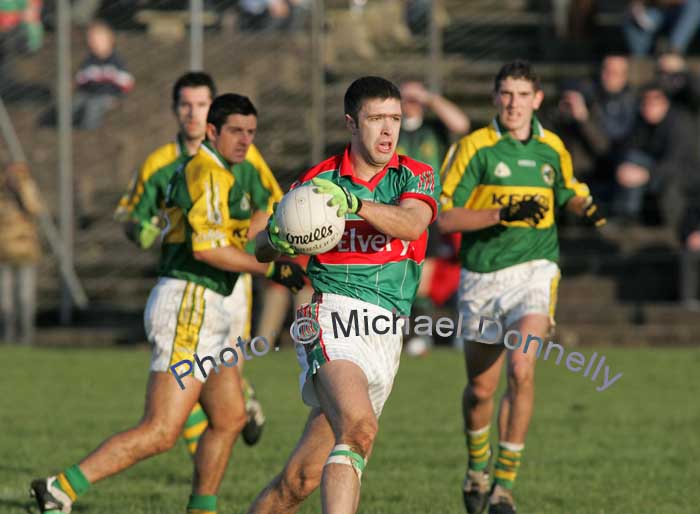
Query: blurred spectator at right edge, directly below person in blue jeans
{"x": 682, "y": 86}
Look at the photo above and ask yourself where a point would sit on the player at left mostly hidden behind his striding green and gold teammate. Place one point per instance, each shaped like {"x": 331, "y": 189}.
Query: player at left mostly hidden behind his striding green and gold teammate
{"x": 142, "y": 211}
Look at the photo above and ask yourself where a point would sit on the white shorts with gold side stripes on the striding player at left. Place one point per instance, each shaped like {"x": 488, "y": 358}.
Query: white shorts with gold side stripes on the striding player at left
{"x": 183, "y": 318}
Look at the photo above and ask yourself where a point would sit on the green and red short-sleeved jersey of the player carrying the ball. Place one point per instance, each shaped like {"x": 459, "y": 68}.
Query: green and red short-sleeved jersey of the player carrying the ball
{"x": 367, "y": 264}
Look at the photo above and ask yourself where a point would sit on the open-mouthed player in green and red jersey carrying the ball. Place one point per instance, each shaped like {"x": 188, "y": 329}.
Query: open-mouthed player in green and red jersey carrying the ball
{"x": 388, "y": 201}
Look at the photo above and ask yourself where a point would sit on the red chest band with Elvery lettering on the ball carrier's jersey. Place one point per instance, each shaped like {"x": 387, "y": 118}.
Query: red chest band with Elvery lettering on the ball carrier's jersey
{"x": 363, "y": 244}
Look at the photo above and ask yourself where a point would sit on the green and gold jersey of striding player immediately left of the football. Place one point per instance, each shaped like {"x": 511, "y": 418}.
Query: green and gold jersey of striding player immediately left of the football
{"x": 212, "y": 203}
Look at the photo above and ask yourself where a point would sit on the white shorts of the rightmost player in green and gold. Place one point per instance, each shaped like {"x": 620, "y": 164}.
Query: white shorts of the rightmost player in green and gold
{"x": 506, "y": 295}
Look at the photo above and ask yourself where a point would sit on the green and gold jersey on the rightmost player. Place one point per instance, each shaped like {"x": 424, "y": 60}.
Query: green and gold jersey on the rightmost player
{"x": 490, "y": 169}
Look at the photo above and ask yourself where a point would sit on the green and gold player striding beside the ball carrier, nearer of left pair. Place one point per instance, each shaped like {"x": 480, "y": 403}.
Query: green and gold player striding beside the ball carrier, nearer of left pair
{"x": 186, "y": 314}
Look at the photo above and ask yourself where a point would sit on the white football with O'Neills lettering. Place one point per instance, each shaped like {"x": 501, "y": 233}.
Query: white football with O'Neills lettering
{"x": 307, "y": 222}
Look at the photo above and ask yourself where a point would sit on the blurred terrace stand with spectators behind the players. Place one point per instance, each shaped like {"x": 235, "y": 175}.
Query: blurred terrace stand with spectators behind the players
{"x": 621, "y": 89}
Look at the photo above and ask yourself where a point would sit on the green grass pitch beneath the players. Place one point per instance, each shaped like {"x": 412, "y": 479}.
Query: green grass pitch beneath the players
{"x": 633, "y": 448}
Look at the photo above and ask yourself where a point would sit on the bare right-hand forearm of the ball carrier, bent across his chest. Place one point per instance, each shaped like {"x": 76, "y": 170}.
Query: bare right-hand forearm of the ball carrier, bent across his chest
{"x": 406, "y": 221}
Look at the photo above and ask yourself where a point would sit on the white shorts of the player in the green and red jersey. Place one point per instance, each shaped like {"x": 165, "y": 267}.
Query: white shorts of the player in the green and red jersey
{"x": 377, "y": 355}
